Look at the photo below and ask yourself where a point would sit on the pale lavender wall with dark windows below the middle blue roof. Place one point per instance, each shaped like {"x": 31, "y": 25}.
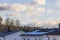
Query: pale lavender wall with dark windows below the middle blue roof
{"x": 34, "y": 38}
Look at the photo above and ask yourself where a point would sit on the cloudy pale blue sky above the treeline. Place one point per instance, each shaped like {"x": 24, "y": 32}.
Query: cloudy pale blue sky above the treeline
{"x": 31, "y": 11}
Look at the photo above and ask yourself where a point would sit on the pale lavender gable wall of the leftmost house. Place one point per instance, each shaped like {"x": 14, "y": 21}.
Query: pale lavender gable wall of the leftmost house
{"x": 14, "y": 36}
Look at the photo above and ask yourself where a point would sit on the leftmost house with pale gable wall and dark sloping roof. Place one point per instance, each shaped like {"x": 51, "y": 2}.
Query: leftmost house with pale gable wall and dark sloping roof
{"x": 14, "y": 35}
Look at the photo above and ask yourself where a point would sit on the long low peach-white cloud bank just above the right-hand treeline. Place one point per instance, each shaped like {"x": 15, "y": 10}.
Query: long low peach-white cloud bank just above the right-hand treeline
{"x": 50, "y": 22}
